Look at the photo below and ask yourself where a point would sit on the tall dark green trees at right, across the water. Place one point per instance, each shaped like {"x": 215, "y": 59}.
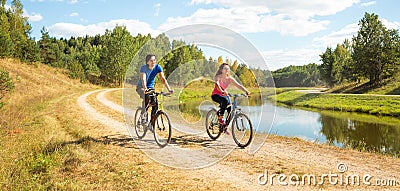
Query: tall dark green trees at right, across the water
{"x": 373, "y": 54}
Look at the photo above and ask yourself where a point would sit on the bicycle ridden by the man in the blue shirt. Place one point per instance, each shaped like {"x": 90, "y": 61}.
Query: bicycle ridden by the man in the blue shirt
{"x": 159, "y": 124}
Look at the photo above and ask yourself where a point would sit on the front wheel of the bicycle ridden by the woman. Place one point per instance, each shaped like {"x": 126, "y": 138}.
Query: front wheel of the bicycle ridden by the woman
{"x": 242, "y": 130}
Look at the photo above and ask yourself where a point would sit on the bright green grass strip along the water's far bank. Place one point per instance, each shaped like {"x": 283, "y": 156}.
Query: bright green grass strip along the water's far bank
{"x": 371, "y": 104}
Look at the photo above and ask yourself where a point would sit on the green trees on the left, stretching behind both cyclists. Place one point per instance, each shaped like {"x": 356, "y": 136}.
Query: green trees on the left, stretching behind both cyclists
{"x": 106, "y": 59}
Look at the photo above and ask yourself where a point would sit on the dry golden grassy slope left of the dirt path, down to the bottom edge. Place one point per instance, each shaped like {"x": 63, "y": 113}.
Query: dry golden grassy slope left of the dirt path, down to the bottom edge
{"x": 48, "y": 143}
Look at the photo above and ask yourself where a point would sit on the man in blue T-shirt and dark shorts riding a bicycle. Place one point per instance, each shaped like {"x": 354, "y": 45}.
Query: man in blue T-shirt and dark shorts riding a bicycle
{"x": 148, "y": 74}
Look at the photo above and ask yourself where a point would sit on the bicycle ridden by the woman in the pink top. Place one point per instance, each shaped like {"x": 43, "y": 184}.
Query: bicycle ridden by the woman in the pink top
{"x": 242, "y": 128}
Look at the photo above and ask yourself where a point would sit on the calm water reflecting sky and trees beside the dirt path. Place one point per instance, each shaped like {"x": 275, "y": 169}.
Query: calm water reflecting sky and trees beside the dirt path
{"x": 347, "y": 130}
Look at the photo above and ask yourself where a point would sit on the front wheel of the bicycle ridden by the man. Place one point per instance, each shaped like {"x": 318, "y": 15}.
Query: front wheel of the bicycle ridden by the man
{"x": 162, "y": 129}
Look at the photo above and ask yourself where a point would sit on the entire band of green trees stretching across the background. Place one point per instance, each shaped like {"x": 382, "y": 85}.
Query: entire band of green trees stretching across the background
{"x": 373, "y": 54}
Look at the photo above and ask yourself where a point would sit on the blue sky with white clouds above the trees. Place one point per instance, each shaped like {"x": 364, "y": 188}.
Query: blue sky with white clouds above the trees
{"x": 284, "y": 32}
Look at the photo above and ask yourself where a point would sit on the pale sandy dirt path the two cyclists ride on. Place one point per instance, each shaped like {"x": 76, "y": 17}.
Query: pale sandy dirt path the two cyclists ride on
{"x": 291, "y": 159}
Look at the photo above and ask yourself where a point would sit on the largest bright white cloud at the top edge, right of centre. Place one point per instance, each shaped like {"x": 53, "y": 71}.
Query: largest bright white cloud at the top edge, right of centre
{"x": 288, "y": 17}
